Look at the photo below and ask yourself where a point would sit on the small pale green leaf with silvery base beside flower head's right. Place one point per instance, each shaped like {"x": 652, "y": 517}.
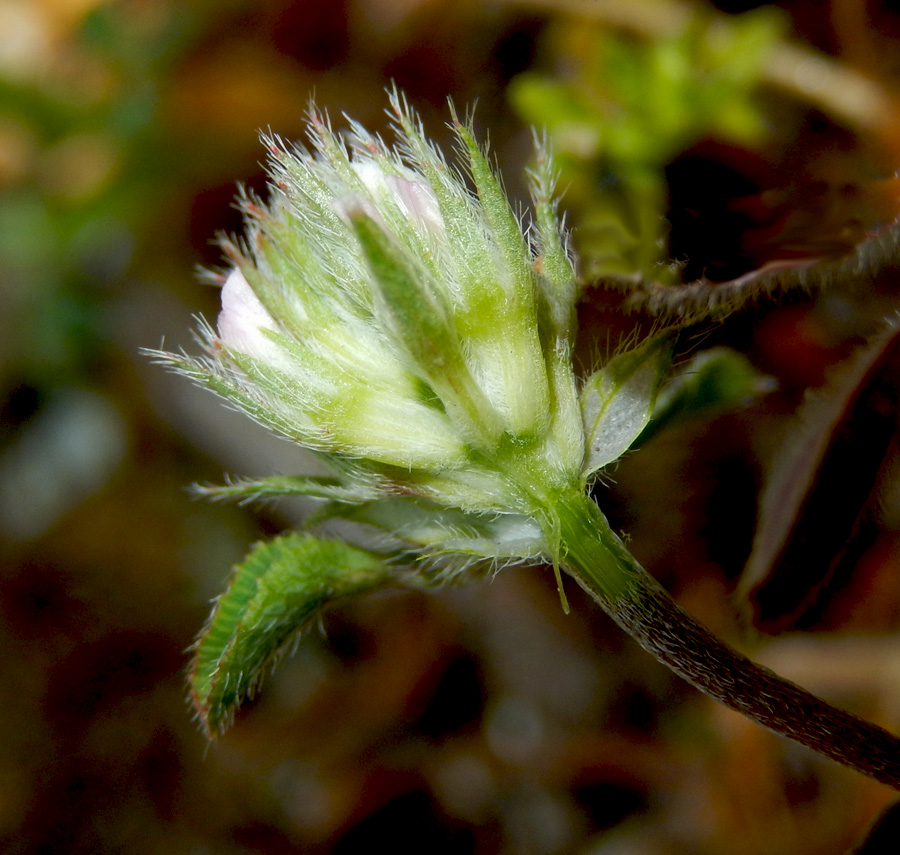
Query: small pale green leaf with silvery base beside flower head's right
{"x": 618, "y": 400}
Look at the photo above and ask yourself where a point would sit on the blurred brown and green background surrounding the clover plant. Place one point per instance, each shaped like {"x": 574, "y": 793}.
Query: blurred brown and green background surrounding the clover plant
{"x": 479, "y": 719}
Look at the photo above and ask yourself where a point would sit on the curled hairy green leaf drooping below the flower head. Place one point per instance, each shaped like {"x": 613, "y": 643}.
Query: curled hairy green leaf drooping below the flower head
{"x": 278, "y": 589}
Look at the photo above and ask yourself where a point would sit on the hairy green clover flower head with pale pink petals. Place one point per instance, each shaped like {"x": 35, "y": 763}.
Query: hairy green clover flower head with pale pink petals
{"x": 386, "y": 309}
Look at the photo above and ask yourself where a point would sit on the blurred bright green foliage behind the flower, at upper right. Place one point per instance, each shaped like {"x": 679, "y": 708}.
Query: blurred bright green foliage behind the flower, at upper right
{"x": 625, "y": 105}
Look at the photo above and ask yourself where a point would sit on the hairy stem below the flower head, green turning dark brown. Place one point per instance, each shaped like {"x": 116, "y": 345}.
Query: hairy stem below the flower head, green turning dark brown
{"x": 596, "y": 558}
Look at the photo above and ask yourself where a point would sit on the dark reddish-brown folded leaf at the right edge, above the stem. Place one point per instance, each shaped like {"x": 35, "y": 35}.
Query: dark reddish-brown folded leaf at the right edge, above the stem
{"x": 821, "y": 508}
